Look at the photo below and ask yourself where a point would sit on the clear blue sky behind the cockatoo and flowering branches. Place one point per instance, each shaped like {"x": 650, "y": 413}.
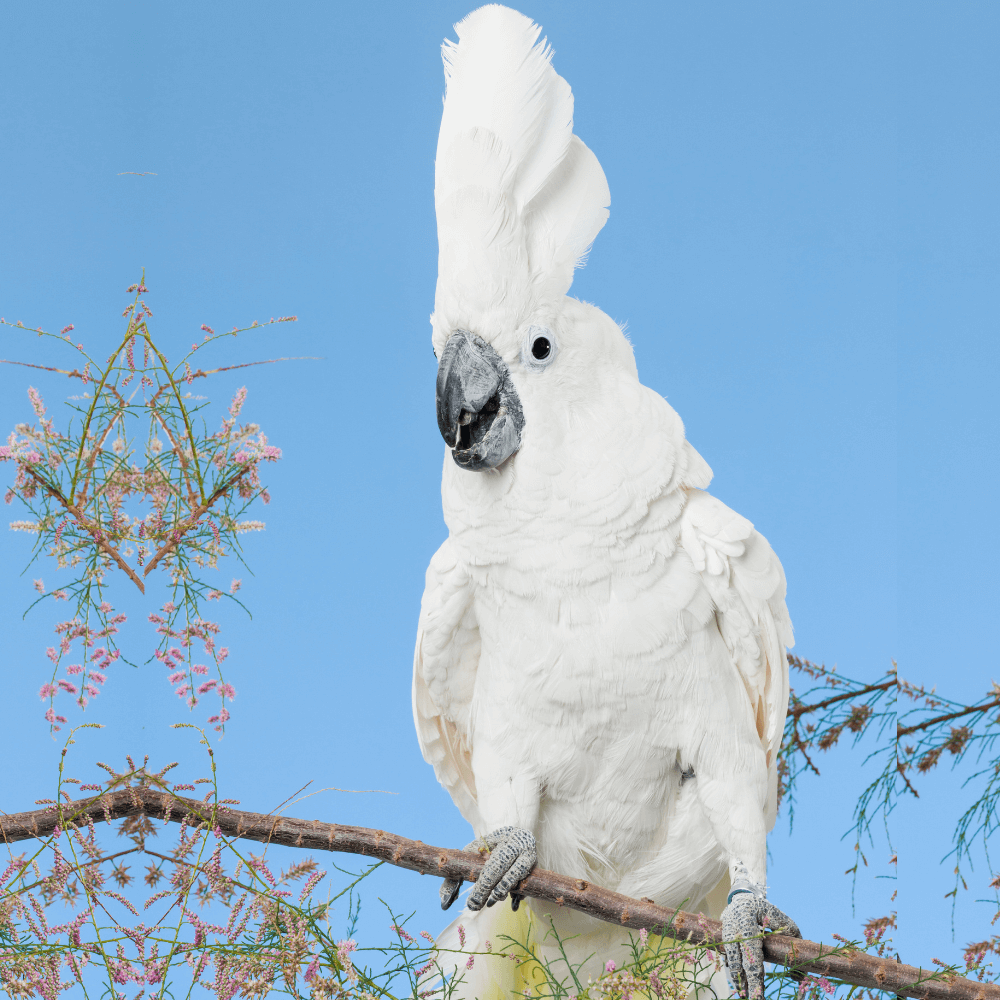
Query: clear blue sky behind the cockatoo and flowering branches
{"x": 802, "y": 242}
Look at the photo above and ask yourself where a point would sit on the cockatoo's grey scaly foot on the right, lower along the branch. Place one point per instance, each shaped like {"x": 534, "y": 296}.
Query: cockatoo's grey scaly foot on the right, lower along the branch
{"x": 746, "y": 917}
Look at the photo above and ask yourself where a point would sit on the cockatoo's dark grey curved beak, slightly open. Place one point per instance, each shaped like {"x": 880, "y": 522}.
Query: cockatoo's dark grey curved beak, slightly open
{"x": 478, "y": 410}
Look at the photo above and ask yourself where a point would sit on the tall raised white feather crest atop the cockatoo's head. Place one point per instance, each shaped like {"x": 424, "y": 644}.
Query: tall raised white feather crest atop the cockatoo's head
{"x": 519, "y": 198}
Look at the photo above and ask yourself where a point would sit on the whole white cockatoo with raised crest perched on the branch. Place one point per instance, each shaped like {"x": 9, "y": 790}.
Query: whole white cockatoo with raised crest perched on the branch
{"x": 600, "y": 679}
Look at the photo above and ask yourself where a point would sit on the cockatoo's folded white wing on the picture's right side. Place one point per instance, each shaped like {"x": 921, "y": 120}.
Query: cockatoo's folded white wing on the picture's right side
{"x": 747, "y": 585}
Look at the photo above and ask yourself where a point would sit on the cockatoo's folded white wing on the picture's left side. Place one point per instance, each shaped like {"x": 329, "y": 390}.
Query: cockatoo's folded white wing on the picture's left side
{"x": 444, "y": 675}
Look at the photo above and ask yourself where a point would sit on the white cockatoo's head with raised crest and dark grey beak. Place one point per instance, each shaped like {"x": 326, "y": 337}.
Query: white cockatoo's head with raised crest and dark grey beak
{"x": 519, "y": 200}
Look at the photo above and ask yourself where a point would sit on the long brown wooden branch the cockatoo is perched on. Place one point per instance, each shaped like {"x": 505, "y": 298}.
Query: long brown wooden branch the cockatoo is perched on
{"x": 856, "y": 968}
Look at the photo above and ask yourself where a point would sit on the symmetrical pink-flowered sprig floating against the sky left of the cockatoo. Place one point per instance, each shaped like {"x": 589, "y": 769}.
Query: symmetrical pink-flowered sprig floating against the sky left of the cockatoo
{"x": 137, "y": 482}
